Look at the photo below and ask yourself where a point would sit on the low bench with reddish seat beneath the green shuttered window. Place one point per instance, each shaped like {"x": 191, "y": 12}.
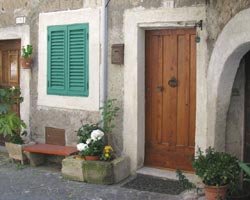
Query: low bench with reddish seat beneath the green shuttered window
{"x": 35, "y": 153}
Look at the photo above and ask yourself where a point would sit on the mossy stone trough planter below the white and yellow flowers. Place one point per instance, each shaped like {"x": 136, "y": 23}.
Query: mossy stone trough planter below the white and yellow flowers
{"x": 98, "y": 172}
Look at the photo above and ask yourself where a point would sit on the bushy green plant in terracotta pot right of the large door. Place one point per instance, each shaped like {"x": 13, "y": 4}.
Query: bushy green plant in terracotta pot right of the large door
{"x": 217, "y": 171}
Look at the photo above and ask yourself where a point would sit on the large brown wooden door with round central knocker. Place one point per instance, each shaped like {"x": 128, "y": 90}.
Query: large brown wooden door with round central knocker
{"x": 170, "y": 98}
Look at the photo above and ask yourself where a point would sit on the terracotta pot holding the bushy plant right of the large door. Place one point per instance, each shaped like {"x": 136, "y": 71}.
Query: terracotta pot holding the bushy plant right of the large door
{"x": 215, "y": 192}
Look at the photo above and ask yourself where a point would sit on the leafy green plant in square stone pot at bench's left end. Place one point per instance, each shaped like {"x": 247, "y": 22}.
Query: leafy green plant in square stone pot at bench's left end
{"x": 10, "y": 123}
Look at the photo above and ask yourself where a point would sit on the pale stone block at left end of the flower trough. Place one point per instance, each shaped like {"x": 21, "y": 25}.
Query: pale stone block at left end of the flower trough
{"x": 72, "y": 168}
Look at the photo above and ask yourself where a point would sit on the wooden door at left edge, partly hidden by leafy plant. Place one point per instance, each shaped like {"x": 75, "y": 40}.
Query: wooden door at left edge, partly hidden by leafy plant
{"x": 9, "y": 67}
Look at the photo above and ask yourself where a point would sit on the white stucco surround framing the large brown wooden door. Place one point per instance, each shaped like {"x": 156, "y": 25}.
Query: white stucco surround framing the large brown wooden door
{"x": 136, "y": 21}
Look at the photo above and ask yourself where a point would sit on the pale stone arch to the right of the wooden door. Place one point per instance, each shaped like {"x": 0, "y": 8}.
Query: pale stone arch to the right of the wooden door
{"x": 232, "y": 44}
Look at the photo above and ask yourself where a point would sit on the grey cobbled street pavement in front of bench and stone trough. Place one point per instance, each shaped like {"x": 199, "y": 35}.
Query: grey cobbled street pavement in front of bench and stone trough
{"x": 19, "y": 182}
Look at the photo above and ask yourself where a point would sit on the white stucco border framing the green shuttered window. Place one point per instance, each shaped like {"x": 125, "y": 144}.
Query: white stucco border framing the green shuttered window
{"x": 91, "y": 16}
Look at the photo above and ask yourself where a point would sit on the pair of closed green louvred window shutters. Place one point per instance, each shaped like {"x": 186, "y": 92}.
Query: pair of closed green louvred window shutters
{"x": 68, "y": 60}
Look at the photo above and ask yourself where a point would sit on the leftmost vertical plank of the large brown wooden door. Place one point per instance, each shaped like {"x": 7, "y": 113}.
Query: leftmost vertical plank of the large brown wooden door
{"x": 153, "y": 97}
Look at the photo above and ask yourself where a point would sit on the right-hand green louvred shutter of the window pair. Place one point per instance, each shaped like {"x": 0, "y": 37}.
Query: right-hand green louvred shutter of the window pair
{"x": 78, "y": 60}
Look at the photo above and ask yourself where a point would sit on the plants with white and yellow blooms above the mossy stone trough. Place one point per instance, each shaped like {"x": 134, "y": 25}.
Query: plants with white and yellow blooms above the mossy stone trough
{"x": 92, "y": 136}
